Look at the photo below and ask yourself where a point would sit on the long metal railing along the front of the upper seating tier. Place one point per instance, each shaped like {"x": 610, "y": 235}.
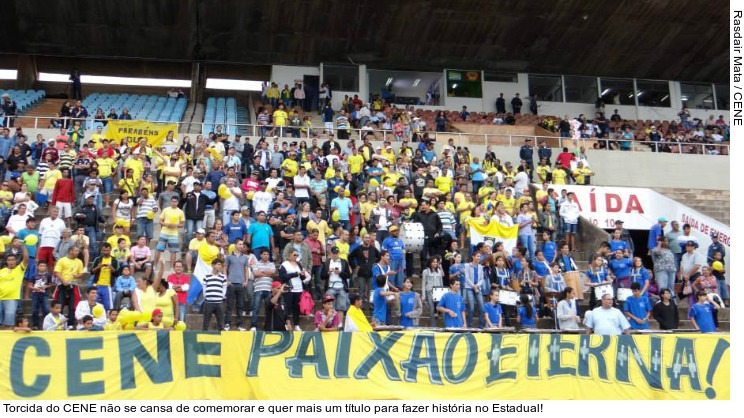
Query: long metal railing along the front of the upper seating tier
{"x": 460, "y": 138}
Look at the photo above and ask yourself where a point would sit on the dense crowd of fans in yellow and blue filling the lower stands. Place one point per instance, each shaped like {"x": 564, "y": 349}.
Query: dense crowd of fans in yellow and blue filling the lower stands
{"x": 277, "y": 225}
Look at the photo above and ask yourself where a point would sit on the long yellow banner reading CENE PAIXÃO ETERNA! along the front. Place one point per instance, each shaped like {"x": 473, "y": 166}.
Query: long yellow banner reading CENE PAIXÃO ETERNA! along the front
{"x": 405, "y": 365}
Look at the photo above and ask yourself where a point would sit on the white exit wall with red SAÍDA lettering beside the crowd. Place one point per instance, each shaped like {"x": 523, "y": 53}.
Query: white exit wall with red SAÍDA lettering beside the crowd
{"x": 640, "y": 208}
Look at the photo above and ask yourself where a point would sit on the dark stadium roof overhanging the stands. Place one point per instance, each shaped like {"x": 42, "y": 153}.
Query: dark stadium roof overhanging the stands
{"x": 683, "y": 40}
